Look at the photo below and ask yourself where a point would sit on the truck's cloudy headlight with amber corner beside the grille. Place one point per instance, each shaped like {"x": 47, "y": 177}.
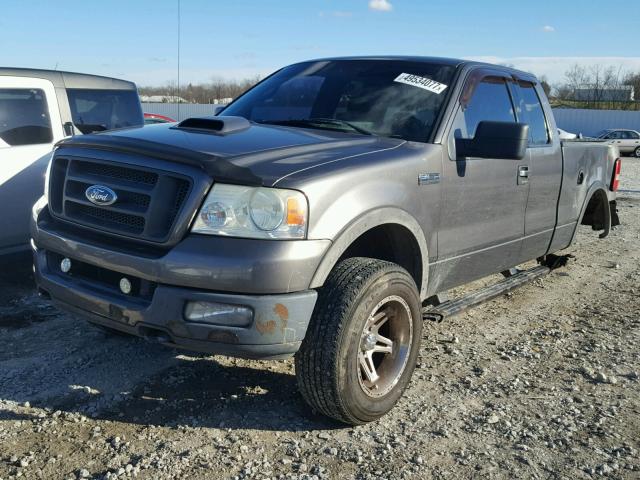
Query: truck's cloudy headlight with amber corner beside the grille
{"x": 252, "y": 212}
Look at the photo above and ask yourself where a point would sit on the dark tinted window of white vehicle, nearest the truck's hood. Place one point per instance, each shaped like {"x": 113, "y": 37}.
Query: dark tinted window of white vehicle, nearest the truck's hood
{"x": 99, "y": 110}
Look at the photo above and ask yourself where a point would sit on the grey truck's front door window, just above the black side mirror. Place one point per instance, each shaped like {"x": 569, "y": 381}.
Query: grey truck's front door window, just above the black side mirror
{"x": 490, "y": 101}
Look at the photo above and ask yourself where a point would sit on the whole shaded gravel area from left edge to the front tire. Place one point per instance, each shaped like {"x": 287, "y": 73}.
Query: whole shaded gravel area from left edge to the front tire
{"x": 60, "y": 363}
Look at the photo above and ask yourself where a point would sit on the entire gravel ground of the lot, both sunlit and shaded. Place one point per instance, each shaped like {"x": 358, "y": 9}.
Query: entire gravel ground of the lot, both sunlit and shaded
{"x": 540, "y": 383}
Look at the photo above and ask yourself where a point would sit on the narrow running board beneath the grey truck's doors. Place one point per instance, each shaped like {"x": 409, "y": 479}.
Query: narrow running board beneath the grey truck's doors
{"x": 453, "y": 307}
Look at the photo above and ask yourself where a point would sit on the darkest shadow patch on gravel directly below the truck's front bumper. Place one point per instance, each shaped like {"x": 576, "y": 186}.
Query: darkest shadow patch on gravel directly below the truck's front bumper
{"x": 205, "y": 393}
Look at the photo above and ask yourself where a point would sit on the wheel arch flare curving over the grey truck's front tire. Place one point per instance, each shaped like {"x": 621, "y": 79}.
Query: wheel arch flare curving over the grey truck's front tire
{"x": 400, "y": 228}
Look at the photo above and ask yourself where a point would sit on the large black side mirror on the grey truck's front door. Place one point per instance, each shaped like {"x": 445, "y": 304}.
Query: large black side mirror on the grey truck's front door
{"x": 503, "y": 140}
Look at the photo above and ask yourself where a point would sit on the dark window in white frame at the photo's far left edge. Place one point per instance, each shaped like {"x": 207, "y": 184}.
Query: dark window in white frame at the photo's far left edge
{"x": 24, "y": 117}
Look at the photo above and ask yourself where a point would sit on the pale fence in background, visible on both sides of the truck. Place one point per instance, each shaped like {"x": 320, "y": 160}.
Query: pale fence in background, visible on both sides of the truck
{"x": 576, "y": 120}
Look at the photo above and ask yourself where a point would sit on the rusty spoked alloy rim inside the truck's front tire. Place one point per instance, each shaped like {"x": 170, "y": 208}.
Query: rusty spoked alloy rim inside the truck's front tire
{"x": 385, "y": 346}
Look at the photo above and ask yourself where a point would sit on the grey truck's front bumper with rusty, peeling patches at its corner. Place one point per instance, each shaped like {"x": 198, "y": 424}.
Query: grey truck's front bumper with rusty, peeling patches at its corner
{"x": 194, "y": 270}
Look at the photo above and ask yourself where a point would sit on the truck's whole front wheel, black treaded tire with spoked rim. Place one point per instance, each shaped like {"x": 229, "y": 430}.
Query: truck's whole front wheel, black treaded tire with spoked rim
{"x": 363, "y": 341}
